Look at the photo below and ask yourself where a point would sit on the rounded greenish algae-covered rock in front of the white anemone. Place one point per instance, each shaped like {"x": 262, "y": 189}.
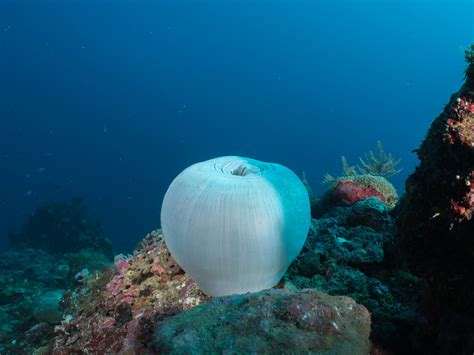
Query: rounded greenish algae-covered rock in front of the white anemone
{"x": 270, "y": 321}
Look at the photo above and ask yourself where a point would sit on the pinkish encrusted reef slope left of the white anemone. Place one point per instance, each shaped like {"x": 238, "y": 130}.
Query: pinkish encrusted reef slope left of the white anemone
{"x": 117, "y": 312}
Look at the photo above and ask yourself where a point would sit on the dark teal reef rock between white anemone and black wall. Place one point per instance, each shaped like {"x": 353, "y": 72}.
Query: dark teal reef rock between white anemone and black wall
{"x": 351, "y": 251}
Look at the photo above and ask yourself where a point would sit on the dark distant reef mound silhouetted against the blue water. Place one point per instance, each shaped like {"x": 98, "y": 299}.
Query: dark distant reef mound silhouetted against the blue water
{"x": 62, "y": 228}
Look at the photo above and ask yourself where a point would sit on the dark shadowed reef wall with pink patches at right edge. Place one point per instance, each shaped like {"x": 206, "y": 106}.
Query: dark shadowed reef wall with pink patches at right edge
{"x": 436, "y": 224}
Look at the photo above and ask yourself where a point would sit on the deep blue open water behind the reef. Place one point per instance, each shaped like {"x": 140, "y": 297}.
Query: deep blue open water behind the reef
{"x": 109, "y": 100}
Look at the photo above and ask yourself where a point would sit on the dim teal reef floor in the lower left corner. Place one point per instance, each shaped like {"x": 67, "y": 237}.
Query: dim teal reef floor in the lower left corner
{"x": 32, "y": 283}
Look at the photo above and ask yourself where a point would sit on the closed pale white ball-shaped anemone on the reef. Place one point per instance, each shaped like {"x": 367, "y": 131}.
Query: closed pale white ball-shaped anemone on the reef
{"x": 235, "y": 224}
